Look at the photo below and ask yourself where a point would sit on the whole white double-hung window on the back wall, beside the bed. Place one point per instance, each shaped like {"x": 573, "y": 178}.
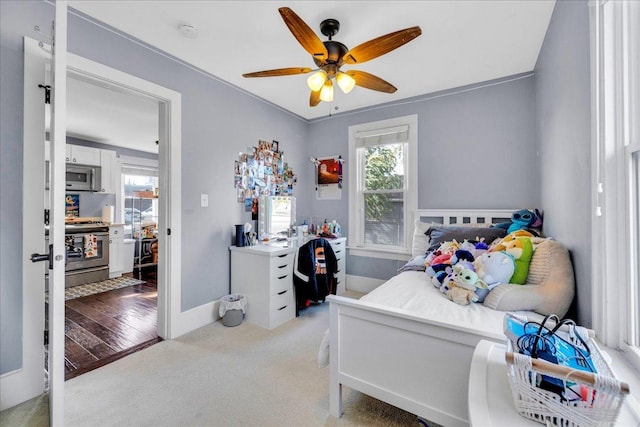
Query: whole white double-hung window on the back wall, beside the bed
{"x": 382, "y": 182}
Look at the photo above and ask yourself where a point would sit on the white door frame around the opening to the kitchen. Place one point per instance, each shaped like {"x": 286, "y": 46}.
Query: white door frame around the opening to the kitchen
{"x": 27, "y": 381}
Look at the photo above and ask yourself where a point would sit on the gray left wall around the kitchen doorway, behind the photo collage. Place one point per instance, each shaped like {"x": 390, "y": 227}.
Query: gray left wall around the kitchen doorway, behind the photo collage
{"x": 218, "y": 121}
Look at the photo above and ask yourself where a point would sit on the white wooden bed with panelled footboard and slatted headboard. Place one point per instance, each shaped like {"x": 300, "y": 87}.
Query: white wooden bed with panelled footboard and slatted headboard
{"x": 386, "y": 345}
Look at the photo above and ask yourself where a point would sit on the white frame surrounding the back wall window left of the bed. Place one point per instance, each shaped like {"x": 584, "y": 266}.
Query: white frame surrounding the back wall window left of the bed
{"x": 356, "y": 210}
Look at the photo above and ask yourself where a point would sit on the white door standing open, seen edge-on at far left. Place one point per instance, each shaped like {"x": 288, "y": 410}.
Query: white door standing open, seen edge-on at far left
{"x": 57, "y": 212}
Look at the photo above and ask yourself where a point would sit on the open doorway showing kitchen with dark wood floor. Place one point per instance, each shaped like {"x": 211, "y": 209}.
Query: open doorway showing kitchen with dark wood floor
{"x": 112, "y": 317}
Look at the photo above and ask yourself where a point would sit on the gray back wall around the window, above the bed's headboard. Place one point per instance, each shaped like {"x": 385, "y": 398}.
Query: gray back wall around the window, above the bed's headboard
{"x": 476, "y": 149}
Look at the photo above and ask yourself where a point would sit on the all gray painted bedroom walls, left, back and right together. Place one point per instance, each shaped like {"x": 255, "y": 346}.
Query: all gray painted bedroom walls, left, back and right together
{"x": 486, "y": 132}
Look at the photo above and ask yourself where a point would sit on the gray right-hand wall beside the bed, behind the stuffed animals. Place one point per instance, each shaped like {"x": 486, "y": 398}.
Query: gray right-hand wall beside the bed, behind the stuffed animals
{"x": 563, "y": 127}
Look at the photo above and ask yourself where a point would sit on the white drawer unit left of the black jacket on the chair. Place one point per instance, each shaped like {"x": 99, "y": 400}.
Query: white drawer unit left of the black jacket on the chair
{"x": 264, "y": 275}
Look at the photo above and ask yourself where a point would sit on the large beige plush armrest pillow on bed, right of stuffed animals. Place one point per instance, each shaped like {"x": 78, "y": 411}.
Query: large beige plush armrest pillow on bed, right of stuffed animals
{"x": 550, "y": 286}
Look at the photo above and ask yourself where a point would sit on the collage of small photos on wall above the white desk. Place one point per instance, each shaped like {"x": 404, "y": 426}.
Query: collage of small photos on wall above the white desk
{"x": 262, "y": 171}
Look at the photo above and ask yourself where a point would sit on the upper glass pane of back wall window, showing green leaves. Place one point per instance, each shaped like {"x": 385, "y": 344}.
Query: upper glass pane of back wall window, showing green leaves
{"x": 384, "y": 167}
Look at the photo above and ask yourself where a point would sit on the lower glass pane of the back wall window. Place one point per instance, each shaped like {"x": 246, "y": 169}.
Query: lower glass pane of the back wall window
{"x": 384, "y": 215}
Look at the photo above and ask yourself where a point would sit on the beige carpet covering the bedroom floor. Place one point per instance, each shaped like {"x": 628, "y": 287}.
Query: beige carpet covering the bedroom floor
{"x": 219, "y": 376}
